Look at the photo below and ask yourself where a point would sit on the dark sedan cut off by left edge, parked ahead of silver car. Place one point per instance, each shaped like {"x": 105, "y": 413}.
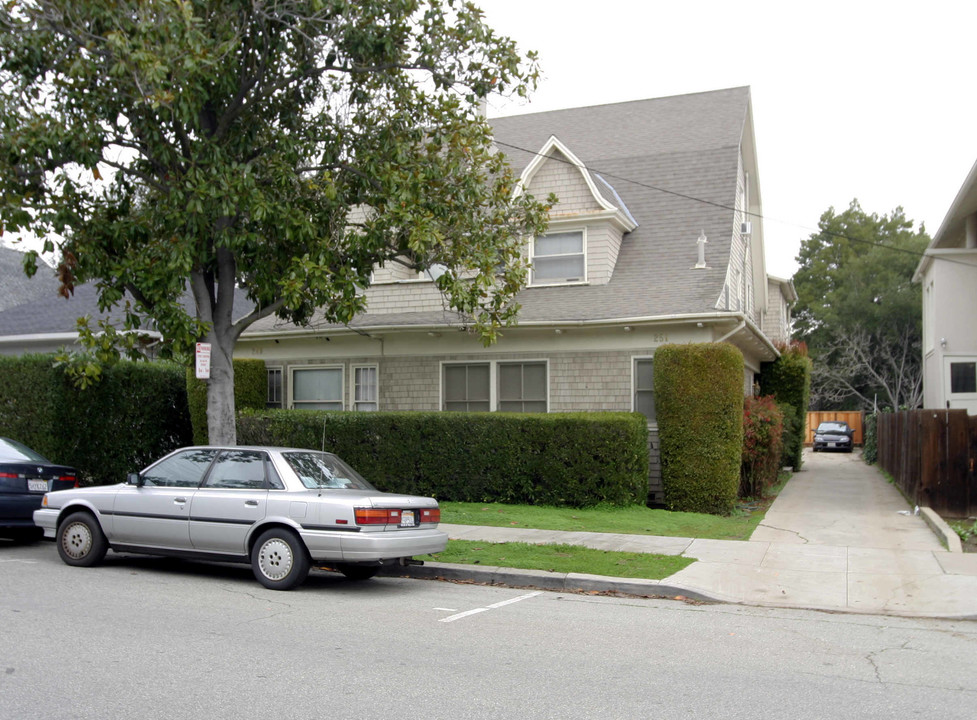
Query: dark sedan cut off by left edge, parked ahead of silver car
{"x": 25, "y": 475}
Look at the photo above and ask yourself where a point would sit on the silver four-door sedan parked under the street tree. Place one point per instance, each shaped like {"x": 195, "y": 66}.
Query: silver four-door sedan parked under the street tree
{"x": 282, "y": 510}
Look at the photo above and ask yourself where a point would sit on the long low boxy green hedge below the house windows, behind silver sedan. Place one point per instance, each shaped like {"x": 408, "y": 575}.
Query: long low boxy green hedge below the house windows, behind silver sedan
{"x": 573, "y": 459}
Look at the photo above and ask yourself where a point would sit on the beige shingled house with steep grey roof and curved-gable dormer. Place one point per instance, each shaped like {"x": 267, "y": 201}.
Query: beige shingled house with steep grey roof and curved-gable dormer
{"x": 657, "y": 238}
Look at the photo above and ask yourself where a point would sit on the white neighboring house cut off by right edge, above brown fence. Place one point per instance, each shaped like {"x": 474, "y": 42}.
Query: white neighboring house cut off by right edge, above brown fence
{"x": 948, "y": 274}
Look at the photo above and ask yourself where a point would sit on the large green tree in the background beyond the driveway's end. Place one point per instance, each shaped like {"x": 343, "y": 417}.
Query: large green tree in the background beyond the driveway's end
{"x": 858, "y": 310}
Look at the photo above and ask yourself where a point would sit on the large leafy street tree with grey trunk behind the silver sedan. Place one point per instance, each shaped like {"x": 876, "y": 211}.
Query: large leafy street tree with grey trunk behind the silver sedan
{"x": 175, "y": 148}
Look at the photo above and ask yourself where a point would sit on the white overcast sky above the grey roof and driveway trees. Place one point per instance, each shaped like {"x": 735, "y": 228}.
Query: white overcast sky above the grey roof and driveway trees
{"x": 856, "y": 99}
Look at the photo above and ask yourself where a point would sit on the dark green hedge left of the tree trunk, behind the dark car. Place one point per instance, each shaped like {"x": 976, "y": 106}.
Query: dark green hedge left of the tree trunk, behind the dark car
{"x": 135, "y": 414}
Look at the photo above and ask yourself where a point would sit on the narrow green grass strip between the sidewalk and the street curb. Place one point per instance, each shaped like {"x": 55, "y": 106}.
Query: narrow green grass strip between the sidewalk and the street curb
{"x": 561, "y": 558}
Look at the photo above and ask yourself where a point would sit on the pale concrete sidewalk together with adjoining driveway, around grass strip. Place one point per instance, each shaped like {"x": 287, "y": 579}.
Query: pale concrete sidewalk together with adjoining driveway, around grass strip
{"x": 835, "y": 539}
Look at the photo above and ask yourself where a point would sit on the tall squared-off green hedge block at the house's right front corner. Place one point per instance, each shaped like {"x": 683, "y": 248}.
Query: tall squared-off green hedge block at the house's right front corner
{"x": 699, "y": 404}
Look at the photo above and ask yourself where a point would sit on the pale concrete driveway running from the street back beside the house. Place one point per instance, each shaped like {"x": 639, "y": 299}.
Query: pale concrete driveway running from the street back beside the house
{"x": 839, "y": 537}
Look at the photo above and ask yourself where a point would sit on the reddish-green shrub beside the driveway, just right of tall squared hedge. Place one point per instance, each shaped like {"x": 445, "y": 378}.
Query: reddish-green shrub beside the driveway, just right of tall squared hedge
{"x": 763, "y": 429}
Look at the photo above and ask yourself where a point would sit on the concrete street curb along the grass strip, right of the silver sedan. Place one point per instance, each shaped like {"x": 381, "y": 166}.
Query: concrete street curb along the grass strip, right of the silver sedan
{"x": 542, "y": 580}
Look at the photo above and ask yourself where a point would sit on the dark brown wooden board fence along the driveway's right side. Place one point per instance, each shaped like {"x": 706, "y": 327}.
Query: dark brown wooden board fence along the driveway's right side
{"x": 930, "y": 455}
